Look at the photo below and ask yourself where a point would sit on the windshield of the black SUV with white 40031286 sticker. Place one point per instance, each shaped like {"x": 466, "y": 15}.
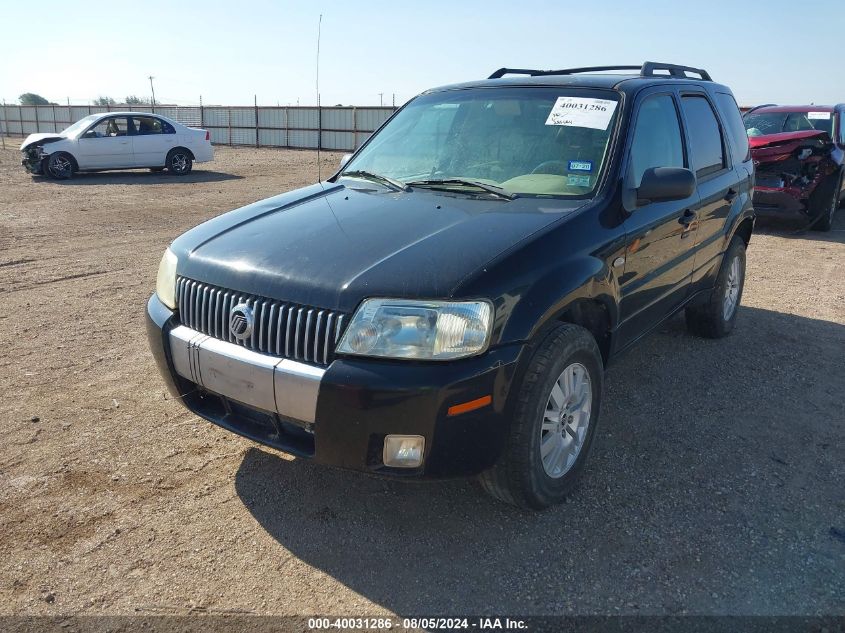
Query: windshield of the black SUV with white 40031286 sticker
{"x": 526, "y": 141}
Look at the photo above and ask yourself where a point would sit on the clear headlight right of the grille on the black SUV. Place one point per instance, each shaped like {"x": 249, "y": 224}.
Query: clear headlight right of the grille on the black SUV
{"x": 425, "y": 330}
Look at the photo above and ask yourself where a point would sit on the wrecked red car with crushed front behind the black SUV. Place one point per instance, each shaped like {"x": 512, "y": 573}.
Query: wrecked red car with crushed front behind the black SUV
{"x": 799, "y": 159}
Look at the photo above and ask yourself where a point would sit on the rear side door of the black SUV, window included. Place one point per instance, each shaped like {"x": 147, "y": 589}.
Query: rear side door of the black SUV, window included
{"x": 718, "y": 182}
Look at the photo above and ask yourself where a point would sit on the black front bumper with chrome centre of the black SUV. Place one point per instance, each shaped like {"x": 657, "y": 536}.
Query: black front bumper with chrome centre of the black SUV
{"x": 339, "y": 415}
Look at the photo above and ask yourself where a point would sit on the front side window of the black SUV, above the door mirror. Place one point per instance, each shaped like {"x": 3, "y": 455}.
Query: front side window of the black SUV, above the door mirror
{"x": 657, "y": 137}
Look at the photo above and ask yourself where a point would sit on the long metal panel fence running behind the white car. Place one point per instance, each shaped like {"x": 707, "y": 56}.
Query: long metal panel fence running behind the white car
{"x": 329, "y": 128}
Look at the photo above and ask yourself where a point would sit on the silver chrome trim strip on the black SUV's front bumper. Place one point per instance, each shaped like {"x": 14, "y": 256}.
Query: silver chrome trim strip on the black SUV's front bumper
{"x": 273, "y": 384}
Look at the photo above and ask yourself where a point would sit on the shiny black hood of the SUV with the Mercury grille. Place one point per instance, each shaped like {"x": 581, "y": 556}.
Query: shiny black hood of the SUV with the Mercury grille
{"x": 330, "y": 246}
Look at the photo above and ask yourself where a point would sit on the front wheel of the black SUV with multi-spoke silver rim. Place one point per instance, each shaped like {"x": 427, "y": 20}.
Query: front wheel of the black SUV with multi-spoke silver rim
{"x": 523, "y": 476}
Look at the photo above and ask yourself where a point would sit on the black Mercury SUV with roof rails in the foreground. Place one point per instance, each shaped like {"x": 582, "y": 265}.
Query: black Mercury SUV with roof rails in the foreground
{"x": 447, "y": 302}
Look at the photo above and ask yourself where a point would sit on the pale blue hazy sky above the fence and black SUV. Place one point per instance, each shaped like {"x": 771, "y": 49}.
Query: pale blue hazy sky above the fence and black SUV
{"x": 772, "y": 51}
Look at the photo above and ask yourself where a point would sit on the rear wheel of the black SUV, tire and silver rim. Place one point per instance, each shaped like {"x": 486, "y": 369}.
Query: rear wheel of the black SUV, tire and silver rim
{"x": 715, "y": 316}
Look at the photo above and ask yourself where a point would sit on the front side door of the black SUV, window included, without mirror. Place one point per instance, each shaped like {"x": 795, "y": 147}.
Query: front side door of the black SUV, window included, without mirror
{"x": 660, "y": 235}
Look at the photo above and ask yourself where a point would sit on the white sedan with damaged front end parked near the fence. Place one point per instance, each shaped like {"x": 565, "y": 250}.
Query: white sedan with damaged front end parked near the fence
{"x": 117, "y": 140}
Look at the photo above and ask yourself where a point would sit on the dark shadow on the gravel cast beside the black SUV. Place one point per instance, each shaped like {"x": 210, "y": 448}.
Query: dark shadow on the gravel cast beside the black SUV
{"x": 715, "y": 486}
